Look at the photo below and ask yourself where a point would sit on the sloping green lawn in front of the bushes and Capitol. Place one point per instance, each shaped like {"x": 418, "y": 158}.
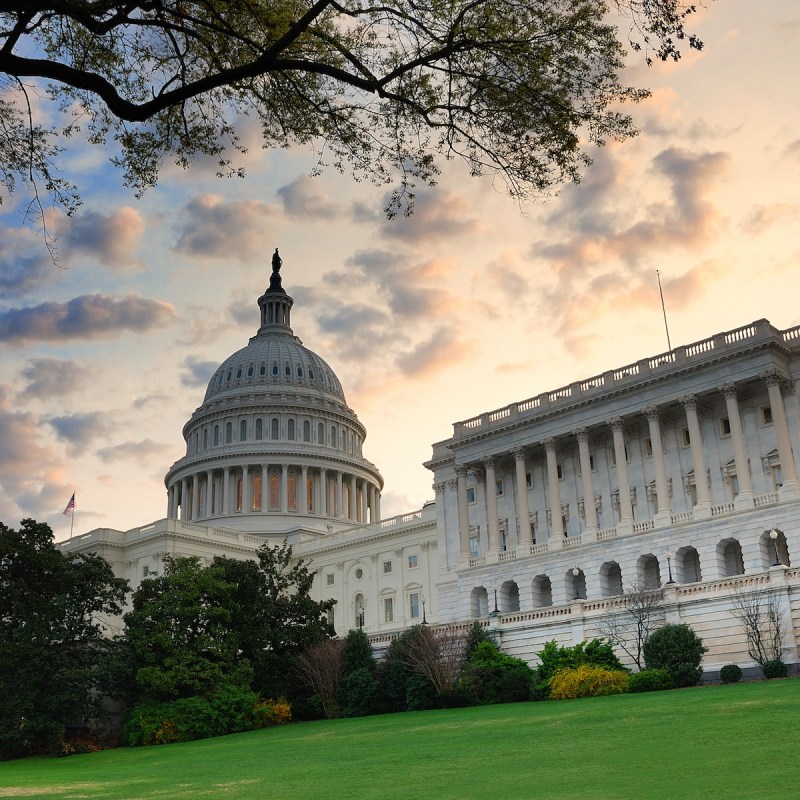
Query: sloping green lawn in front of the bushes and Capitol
{"x": 732, "y": 742}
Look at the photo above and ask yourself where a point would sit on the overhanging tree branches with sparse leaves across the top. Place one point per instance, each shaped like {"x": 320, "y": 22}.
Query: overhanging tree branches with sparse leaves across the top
{"x": 515, "y": 88}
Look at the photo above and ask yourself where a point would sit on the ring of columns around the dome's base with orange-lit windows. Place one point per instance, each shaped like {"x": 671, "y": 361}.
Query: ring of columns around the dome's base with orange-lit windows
{"x": 273, "y": 488}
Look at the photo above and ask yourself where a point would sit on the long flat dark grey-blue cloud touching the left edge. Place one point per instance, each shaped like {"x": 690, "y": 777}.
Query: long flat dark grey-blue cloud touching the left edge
{"x": 97, "y": 316}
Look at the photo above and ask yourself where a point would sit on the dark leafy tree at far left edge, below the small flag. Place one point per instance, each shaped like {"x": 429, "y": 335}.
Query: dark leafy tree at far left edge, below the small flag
{"x": 53, "y": 614}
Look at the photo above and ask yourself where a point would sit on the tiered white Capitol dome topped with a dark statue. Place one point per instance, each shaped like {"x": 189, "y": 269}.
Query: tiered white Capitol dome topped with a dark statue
{"x": 274, "y": 446}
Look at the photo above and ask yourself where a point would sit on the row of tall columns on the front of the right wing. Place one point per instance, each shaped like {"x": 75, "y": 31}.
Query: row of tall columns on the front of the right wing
{"x": 486, "y": 469}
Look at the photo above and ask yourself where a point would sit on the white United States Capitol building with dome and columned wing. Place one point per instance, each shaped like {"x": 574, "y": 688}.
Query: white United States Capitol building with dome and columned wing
{"x": 676, "y": 472}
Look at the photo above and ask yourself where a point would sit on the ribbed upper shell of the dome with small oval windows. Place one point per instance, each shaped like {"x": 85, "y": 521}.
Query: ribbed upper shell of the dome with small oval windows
{"x": 275, "y": 360}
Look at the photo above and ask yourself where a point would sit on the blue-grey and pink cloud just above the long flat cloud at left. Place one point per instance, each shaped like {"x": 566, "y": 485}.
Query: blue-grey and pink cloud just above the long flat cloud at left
{"x": 111, "y": 238}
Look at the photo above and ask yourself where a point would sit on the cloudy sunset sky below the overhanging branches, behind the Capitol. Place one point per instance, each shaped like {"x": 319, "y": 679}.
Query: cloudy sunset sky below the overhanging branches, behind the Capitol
{"x": 470, "y": 304}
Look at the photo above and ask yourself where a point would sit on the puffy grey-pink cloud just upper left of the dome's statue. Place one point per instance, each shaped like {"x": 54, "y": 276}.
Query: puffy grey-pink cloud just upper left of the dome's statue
{"x": 213, "y": 228}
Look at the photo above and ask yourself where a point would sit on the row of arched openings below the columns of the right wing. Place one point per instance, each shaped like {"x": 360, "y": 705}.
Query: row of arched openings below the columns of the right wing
{"x": 682, "y": 567}
